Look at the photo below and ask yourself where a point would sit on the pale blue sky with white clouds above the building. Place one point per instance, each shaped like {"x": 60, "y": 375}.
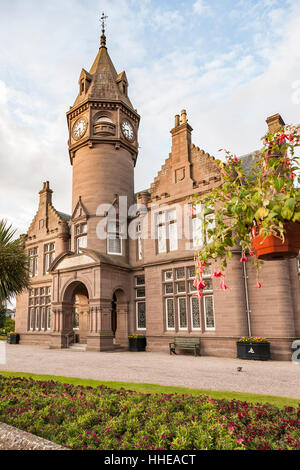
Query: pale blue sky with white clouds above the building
{"x": 229, "y": 63}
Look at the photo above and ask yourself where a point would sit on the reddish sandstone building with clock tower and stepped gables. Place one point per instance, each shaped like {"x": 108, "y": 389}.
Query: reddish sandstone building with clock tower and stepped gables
{"x": 105, "y": 288}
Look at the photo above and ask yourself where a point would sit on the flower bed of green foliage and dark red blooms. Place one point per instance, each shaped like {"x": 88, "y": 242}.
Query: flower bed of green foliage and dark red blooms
{"x": 101, "y": 418}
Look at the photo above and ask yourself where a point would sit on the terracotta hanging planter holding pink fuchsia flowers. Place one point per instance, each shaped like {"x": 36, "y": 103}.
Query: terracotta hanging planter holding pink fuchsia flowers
{"x": 272, "y": 248}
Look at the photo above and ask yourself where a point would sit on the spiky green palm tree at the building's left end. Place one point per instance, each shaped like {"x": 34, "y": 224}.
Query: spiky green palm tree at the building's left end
{"x": 14, "y": 263}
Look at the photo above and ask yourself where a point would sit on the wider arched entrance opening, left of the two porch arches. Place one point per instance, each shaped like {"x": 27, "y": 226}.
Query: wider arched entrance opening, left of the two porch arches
{"x": 76, "y": 303}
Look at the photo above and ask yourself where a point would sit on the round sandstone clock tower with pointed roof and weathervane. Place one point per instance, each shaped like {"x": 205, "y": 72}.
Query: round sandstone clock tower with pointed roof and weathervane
{"x": 103, "y": 146}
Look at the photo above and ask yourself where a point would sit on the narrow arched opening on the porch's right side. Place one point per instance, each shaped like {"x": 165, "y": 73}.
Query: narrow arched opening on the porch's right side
{"x": 119, "y": 318}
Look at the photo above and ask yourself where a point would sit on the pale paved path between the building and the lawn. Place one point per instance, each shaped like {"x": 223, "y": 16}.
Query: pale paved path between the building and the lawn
{"x": 270, "y": 378}
